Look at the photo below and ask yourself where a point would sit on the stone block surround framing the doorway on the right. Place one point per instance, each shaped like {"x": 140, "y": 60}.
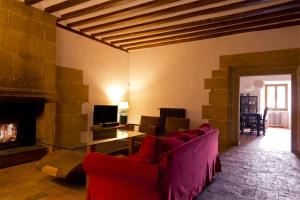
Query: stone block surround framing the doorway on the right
{"x": 221, "y": 108}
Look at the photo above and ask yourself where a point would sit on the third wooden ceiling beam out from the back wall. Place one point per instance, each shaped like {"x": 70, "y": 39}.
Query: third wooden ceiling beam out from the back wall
{"x": 244, "y": 22}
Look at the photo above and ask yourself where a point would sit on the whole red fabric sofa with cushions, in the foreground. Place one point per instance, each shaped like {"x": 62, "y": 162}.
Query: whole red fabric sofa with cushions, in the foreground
{"x": 178, "y": 173}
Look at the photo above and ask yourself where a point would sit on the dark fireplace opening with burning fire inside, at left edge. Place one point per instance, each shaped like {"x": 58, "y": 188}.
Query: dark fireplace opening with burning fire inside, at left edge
{"x": 18, "y": 123}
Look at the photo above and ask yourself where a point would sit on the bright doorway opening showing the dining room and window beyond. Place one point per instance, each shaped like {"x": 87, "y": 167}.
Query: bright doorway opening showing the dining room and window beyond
{"x": 274, "y": 93}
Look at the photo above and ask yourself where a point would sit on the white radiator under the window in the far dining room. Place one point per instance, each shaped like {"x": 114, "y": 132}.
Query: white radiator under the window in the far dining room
{"x": 278, "y": 118}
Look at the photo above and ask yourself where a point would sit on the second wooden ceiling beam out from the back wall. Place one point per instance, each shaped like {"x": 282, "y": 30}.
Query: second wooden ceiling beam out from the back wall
{"x": 215, "y": 30}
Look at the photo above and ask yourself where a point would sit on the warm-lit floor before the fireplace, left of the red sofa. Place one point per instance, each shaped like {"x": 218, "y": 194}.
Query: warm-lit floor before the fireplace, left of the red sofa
{"x": 25, "y": 182}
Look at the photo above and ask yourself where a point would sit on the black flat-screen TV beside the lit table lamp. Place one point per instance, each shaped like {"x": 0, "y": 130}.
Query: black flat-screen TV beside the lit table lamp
{"x": 105, "y": 114}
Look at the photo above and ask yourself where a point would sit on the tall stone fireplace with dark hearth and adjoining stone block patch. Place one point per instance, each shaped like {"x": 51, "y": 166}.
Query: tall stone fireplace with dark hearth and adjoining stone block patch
{"x": 40, "y": 100}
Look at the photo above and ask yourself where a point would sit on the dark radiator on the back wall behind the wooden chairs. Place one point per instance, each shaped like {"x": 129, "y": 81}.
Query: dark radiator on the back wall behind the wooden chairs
{"x": 169, "y": 112}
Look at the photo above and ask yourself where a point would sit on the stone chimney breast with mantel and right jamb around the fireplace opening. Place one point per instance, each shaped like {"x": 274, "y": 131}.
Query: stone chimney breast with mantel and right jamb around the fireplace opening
{"x": 27, "y": 60}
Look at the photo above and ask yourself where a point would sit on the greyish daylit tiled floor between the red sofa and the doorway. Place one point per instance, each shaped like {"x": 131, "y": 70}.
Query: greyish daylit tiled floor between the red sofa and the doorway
{"x": 255, "y": 174}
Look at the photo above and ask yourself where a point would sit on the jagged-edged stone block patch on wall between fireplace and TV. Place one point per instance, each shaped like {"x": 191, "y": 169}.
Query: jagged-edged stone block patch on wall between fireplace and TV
{"x": 71, "y": 93}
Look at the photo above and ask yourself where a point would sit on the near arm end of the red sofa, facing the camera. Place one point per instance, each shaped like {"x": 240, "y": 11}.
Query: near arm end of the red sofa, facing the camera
{"x": 117, "y": 178}
